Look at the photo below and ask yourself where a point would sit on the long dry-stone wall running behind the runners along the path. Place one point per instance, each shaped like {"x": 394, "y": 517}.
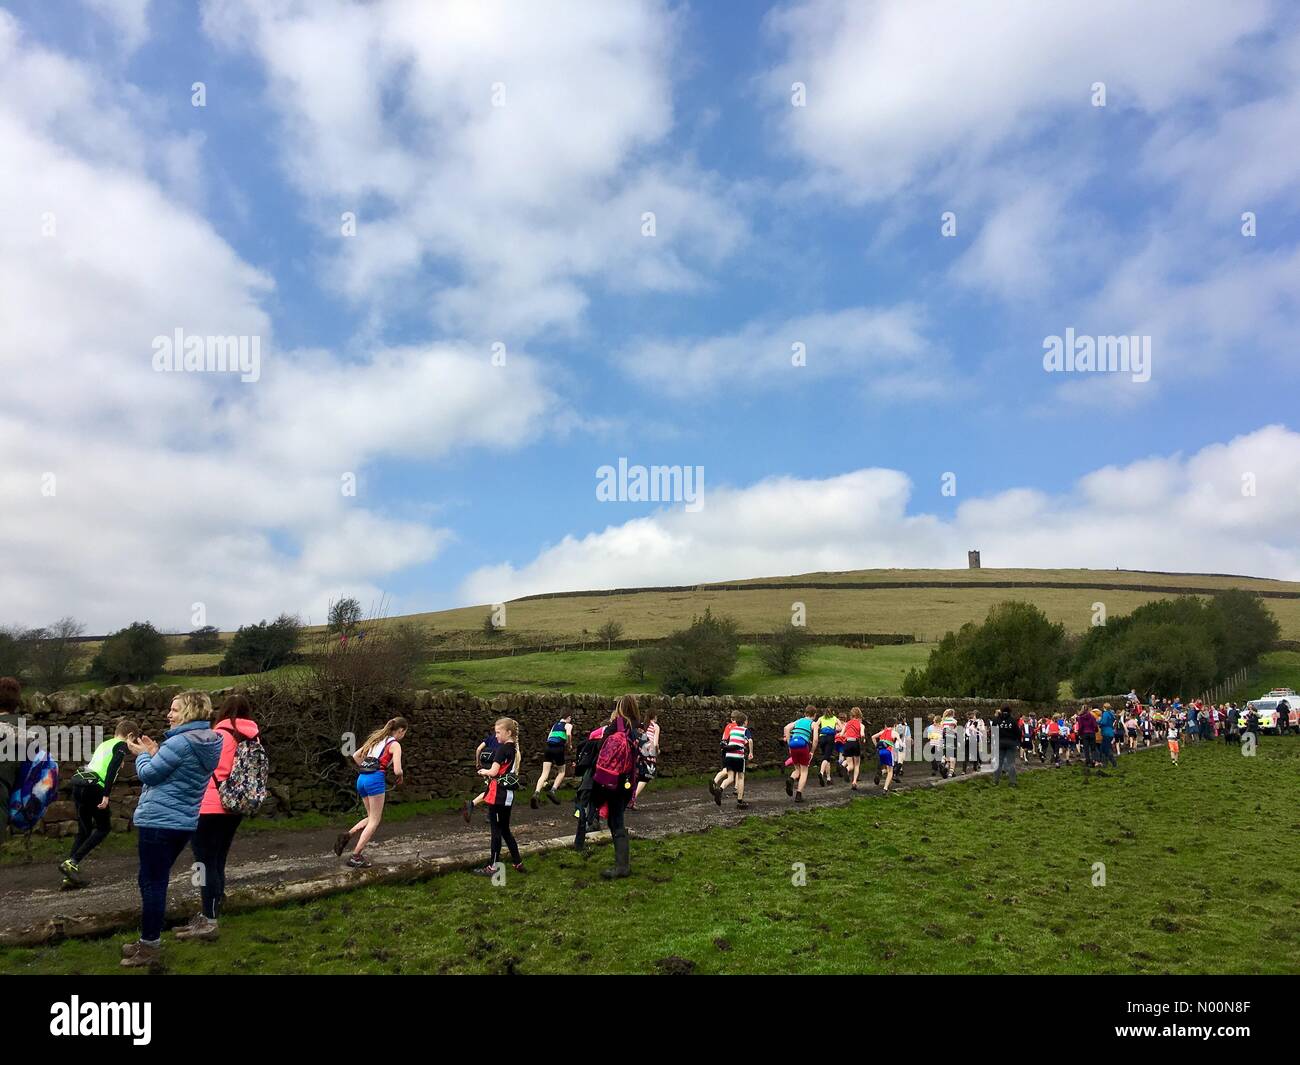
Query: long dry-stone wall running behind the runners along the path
{"x": 445, "y": 730}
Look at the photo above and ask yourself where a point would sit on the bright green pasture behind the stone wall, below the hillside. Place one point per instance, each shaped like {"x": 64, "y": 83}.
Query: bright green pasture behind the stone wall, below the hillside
{"x": 827, "y": 672}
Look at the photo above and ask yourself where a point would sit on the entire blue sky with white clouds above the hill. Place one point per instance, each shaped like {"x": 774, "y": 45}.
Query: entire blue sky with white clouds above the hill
{"x": 522, "y": 224}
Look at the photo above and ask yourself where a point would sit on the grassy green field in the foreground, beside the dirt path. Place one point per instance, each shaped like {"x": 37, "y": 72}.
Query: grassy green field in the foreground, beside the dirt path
{"x": 960, "y": 880}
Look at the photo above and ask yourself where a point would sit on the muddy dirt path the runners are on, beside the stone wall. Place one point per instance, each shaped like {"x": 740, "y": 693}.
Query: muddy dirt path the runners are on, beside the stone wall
{"x": 275, "y": 867}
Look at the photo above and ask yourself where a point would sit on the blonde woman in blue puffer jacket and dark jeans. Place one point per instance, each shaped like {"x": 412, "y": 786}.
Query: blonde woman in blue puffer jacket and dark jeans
{"x": 175, "y": 777}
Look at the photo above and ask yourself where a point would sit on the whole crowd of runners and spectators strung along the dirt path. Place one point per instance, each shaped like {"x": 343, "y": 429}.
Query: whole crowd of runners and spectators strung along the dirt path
{"x": 210, "y": 772}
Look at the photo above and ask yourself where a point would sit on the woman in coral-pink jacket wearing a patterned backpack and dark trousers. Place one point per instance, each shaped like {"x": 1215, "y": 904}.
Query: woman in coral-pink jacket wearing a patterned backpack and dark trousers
{"x": 239, "y": 787}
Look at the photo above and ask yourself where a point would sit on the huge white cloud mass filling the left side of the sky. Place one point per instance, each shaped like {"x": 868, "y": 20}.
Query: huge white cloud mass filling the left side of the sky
{"x": 180, "y": 488}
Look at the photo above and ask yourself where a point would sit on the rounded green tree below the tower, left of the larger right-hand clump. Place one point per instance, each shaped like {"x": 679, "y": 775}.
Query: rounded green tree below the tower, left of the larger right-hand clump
{"x": 1016, "y": 653}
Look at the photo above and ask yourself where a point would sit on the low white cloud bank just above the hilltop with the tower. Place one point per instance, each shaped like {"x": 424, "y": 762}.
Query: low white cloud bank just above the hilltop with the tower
{"x": 1156, "y": 514}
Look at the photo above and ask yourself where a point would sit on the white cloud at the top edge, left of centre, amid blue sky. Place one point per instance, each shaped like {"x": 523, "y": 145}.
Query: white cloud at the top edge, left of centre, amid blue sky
{"x": 388, "y": 110}
